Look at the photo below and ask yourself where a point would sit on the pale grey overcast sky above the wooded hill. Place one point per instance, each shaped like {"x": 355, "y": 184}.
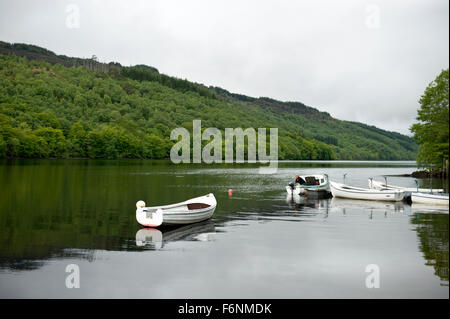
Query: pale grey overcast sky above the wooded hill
{"x": 366, "y": 61}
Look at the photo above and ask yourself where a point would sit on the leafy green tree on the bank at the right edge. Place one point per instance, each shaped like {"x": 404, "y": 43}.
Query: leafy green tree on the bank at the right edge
{"x": 432, "y": 132}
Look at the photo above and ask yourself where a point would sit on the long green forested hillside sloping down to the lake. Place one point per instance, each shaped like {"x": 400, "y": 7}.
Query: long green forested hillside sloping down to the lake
{"x": 56, "y": 106}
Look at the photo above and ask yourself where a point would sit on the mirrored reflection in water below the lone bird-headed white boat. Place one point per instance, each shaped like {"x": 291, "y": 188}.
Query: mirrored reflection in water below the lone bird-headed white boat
{"x": 155, "y": 239}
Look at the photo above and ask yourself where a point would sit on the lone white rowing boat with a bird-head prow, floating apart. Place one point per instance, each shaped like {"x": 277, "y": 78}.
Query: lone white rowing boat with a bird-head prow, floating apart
{"x": 191, "y": 211}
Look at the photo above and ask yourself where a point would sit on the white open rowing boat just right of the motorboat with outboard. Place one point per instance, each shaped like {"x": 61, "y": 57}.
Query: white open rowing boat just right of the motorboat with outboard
{"x": 345, "y": 191}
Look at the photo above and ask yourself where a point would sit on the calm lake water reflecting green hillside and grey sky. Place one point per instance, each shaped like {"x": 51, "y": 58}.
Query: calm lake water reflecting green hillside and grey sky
{"x": 260, "y": 242}
